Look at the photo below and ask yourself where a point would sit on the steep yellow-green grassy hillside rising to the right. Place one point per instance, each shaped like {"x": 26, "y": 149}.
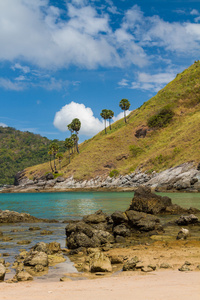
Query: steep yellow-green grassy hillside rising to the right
{"x": 164, "y": 146}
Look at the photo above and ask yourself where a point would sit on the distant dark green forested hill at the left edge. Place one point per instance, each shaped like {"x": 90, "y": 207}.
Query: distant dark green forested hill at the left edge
{"x": 19, "y": 150}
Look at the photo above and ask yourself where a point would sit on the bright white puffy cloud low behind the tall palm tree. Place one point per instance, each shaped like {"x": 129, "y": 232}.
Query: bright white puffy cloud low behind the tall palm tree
{"x": 89, "y": 124}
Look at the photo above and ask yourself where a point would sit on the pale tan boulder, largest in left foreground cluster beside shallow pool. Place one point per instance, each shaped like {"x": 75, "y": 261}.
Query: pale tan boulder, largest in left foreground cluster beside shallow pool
{"x": 36, "y": 258}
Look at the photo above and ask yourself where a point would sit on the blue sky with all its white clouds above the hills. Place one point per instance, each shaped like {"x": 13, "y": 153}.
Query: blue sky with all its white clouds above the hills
{"x": 61, "y": 60}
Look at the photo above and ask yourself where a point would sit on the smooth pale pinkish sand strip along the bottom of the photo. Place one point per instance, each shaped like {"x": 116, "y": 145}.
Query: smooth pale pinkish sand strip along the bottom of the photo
{"x": 162, "y": 285}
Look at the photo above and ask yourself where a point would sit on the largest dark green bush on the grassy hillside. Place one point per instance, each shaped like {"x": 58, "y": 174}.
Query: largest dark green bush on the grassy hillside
{"x": 161, "y": 119}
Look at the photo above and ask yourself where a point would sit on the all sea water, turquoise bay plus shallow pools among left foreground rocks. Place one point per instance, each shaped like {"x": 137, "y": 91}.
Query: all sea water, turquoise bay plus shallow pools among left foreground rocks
{"x": 64, "y": 206}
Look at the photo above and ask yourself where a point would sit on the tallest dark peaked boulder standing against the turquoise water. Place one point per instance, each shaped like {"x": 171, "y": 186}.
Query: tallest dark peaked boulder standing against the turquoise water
{"x": 147, "y": 202}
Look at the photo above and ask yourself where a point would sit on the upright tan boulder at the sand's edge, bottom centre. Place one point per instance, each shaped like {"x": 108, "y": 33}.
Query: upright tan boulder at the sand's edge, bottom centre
{"x": 100, "y": 263}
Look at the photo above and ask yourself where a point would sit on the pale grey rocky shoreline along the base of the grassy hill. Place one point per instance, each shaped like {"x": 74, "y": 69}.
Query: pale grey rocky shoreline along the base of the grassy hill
{"x": 185, "y": 177}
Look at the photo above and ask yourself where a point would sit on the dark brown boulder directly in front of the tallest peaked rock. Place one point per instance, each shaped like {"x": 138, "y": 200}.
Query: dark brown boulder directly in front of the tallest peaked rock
{"x": 143, "y": 221}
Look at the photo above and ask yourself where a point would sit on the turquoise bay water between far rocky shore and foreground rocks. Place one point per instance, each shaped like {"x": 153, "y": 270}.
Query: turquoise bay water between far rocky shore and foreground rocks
{"x": 73, "y": 205}
